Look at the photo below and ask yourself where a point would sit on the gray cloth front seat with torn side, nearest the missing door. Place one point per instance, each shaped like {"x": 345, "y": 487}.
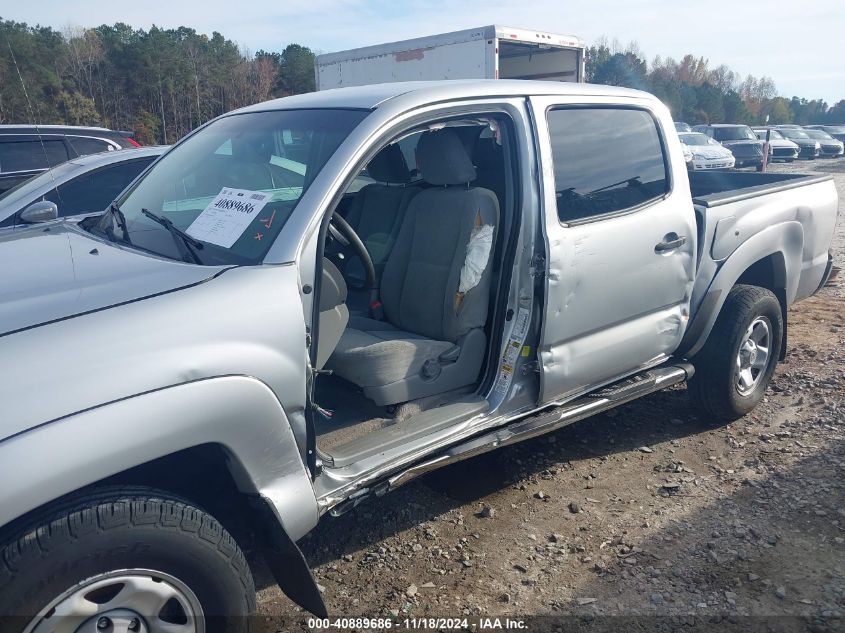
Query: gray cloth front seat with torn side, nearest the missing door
{"x": 432, "y": 339}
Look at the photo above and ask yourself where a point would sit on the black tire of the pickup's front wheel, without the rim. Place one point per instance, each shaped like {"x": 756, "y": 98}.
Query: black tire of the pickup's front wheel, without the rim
{"x": 108, "y": 530}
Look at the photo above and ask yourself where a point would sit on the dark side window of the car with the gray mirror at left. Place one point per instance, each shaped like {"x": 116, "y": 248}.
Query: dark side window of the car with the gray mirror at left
{"x": 94, "y": 191}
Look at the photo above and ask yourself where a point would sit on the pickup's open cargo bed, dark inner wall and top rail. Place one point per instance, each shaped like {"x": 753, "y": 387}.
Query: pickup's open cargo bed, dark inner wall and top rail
{"x": 715, "y": 188}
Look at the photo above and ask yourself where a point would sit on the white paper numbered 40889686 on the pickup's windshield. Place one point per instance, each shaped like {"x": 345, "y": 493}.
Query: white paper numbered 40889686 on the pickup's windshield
{"x": 226, "y": 218}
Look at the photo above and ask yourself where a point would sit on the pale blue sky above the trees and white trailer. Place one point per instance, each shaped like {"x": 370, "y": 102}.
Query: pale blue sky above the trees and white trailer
{"x": 798, "y": 44}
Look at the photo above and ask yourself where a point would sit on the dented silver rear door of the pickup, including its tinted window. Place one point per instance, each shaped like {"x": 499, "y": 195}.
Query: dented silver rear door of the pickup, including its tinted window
{"x": 620, "y": 241}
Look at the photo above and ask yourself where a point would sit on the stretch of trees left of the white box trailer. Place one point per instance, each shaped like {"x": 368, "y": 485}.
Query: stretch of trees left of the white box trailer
{"x": 158, "y": 83}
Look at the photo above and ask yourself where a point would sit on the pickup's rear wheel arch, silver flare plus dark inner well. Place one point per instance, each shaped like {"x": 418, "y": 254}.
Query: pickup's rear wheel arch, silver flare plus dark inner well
{"x": 775, "y": 254}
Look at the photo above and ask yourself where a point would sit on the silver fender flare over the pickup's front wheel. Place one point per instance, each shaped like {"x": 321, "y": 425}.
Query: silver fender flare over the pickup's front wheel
{"x": 239, "y": 413}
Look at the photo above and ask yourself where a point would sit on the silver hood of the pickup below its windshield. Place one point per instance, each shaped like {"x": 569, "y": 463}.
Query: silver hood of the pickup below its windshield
{"x": 56, "y": 270}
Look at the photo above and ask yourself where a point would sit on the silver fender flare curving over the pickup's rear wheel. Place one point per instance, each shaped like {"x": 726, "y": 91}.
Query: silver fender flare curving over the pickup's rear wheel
{"x": 785, "y": 239}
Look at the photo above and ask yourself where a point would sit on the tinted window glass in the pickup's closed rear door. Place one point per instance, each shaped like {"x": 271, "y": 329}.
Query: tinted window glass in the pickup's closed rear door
{"x": 605, "y": 160}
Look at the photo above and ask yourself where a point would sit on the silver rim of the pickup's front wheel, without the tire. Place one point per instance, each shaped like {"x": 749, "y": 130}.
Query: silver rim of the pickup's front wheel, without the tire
{"x": 123, "y": 601}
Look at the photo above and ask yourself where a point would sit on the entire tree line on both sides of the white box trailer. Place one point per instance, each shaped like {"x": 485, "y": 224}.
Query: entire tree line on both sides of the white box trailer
{"x": 162, "y": 83}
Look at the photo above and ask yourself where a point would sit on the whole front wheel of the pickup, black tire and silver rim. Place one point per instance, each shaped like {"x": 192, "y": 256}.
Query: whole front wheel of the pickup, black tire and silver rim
{"x": 139, "y": 561}
